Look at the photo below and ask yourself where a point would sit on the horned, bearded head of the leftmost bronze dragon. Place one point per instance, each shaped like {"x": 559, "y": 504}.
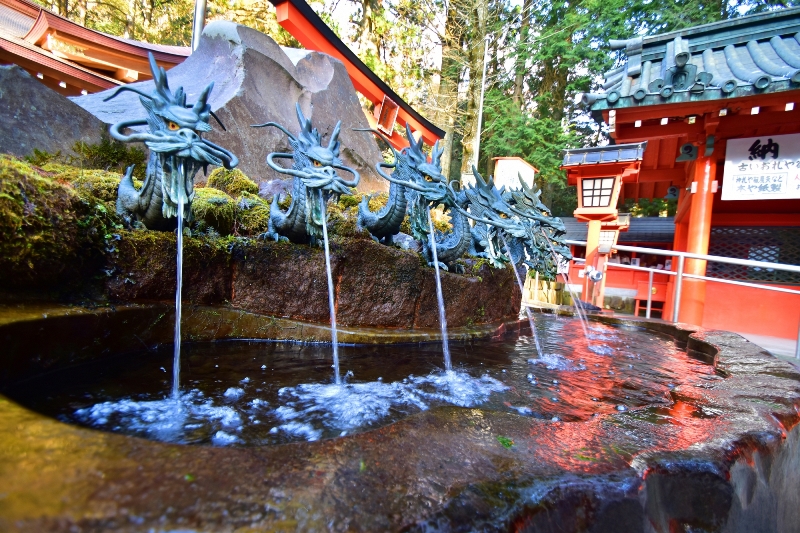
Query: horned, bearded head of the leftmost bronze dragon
{"x": 174, "y": 134}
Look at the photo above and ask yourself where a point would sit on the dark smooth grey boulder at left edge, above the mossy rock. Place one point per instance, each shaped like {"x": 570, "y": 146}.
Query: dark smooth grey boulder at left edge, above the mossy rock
{"x": 40, "y": 118}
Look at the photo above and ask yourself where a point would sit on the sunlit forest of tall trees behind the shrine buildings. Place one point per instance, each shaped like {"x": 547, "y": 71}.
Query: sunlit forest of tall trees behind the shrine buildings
{"x": 541, "y": 54}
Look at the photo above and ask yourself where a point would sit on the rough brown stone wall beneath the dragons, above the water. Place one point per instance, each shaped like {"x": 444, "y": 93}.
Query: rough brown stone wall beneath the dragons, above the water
{"x": 375, "y": 286}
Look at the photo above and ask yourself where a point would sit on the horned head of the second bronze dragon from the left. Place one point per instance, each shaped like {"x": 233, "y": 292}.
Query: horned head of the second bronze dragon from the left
{"x": 316, "y": 165}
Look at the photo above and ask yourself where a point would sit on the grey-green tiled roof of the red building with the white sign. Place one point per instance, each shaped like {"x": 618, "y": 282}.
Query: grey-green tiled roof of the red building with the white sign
{"x": 740, "y": 57}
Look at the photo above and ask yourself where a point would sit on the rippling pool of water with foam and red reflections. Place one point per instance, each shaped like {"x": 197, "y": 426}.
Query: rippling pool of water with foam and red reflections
{"x": 256, "y": 393}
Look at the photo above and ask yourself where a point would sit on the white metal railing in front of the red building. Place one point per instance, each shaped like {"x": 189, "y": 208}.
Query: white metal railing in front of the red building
{"x": 680, "y": 275}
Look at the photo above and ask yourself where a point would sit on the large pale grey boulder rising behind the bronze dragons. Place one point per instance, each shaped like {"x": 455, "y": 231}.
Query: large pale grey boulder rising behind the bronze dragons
{"x": 257, "y": 81}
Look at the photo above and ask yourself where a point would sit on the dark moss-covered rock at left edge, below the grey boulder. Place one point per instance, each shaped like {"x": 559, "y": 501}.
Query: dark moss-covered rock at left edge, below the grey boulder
{"x": 48, "y": 232}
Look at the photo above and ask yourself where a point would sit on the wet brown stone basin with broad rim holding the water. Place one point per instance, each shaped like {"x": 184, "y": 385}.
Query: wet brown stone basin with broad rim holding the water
{"x": 709, "y": 445}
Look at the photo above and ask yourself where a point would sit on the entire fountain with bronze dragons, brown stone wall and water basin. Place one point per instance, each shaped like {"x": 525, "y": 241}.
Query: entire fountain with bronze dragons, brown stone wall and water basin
{"x": 635, "y": 425}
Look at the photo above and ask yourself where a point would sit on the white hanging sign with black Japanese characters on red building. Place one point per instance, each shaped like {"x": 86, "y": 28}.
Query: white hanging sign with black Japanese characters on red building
{"x": 762, "y": 168}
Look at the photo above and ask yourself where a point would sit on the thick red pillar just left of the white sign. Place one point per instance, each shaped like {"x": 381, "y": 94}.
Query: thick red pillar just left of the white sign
{"x": 693, "y": 295}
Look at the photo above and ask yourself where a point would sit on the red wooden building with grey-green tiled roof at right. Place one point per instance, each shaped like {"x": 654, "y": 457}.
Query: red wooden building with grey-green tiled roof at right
{"x": 719, "y": 108}
